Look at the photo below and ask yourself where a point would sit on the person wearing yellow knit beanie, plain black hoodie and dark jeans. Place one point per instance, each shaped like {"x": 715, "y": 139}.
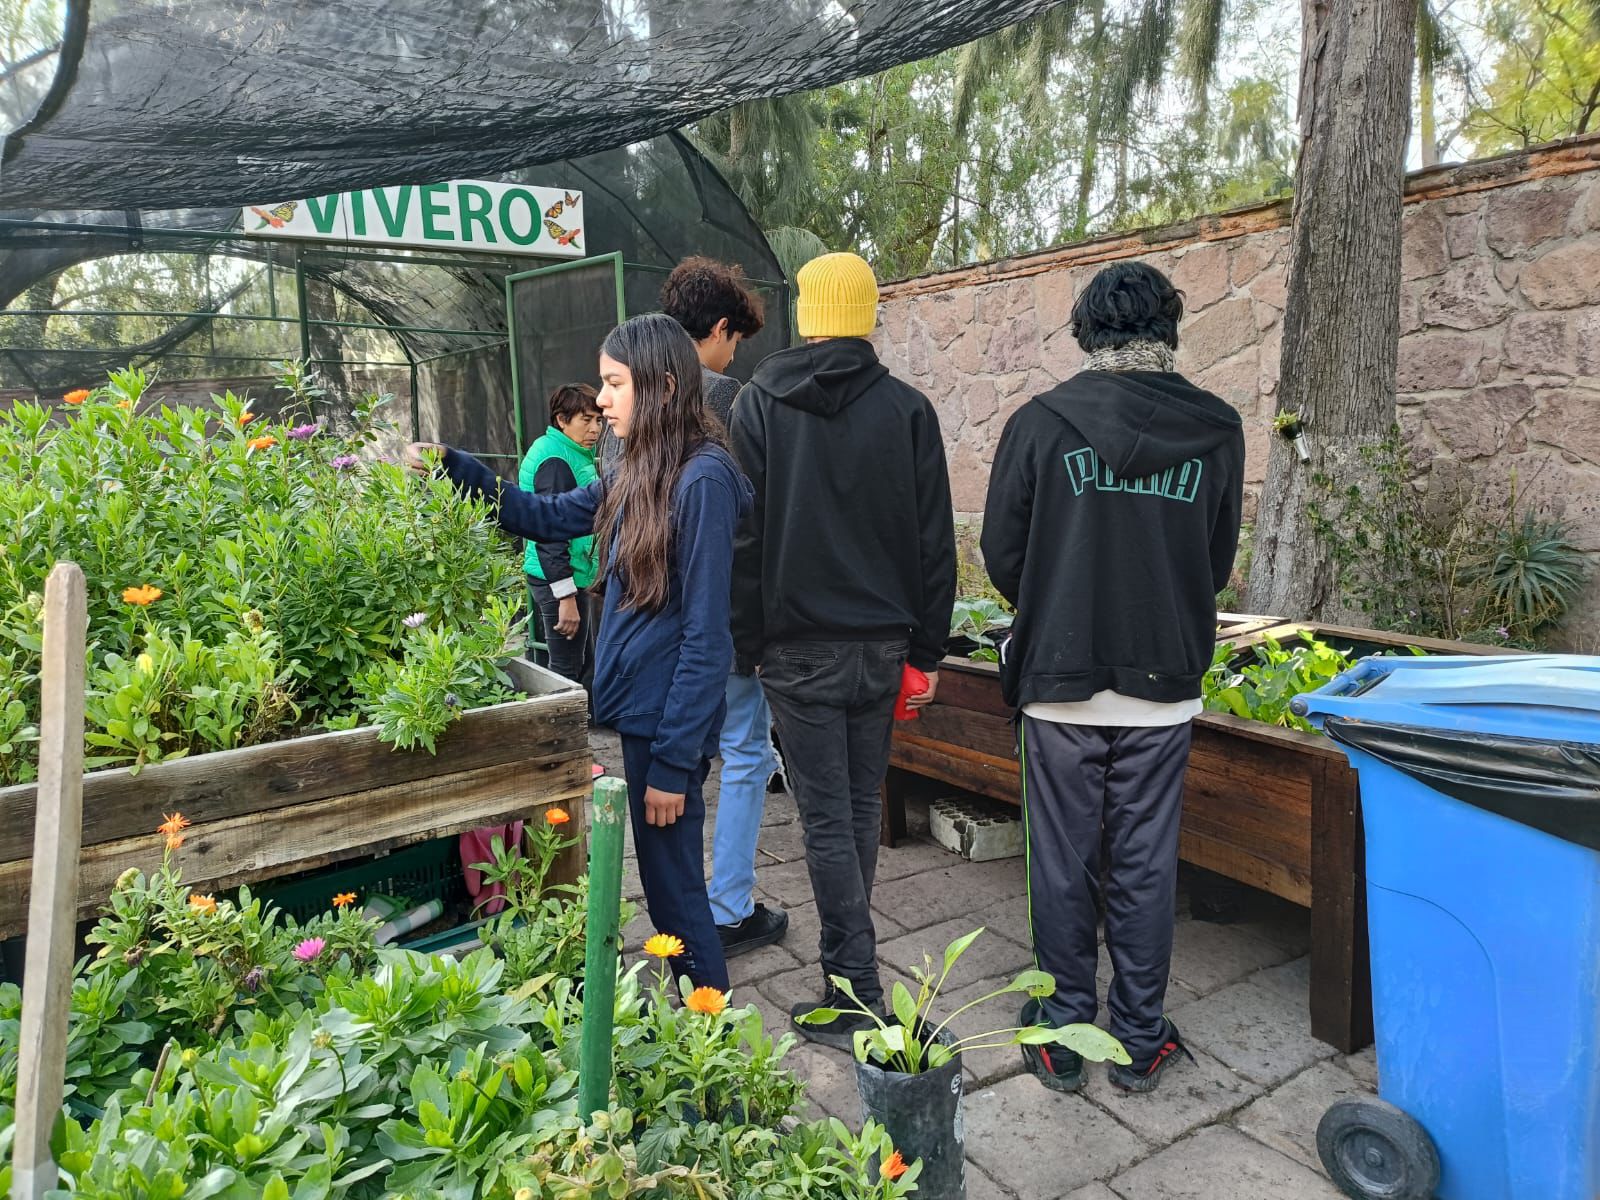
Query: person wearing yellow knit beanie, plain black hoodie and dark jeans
{"x": 842, "y": 575}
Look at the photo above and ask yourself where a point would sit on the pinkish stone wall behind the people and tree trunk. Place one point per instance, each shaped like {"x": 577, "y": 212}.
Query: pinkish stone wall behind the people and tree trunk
{"x": 1500, "y": 321}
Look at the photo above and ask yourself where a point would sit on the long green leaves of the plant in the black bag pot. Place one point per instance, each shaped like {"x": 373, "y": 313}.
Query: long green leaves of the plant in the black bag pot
{"x": 913, "y": 1042}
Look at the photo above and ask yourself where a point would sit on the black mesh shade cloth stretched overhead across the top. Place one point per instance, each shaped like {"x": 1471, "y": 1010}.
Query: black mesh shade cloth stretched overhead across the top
{"x": 159, "y": 105}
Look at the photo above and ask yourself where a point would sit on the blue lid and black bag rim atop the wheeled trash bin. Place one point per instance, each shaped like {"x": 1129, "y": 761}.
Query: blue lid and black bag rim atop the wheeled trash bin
{"x": 1518, "y": 737}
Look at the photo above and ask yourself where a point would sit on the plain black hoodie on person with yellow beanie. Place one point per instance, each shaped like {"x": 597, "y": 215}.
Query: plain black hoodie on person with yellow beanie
{"x": 852, "y": 537}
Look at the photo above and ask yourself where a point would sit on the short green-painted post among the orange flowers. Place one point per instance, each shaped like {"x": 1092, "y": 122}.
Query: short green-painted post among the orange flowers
{"x": 604, "y": 943}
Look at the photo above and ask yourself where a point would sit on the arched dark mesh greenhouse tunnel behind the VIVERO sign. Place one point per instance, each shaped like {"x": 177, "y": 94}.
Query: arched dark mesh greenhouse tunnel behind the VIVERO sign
{"x": 652, "y": 206}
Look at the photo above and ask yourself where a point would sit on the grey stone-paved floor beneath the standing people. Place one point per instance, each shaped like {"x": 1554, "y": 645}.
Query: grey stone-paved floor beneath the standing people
{"x": 1239, "y": 1124}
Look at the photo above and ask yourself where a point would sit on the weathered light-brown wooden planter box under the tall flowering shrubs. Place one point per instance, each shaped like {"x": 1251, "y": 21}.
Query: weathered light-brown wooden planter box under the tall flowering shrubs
{"x": 287, "y": 807}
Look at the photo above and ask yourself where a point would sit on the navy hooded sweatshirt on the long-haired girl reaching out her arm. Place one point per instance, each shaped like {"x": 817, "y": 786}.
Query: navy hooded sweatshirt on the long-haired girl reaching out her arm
{"x": 658, "y": 674}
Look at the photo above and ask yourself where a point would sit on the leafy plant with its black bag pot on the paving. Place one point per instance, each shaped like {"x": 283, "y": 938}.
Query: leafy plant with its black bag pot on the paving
{"x": 910, "y": 1066}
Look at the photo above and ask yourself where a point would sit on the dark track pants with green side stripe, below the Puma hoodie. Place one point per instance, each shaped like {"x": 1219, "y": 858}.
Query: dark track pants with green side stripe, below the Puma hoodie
{"x": 1118, "y": 786}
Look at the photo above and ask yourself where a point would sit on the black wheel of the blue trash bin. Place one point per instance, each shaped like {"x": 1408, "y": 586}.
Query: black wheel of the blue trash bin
{"x": 1375, "y": 1151}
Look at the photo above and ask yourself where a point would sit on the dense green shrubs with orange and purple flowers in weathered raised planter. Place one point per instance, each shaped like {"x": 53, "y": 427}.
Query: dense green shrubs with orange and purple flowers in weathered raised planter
{"x": 246, "y": 580}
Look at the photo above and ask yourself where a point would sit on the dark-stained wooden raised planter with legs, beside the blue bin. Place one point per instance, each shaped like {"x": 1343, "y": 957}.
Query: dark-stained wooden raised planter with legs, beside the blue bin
{"x": 1263, "y": 806}
